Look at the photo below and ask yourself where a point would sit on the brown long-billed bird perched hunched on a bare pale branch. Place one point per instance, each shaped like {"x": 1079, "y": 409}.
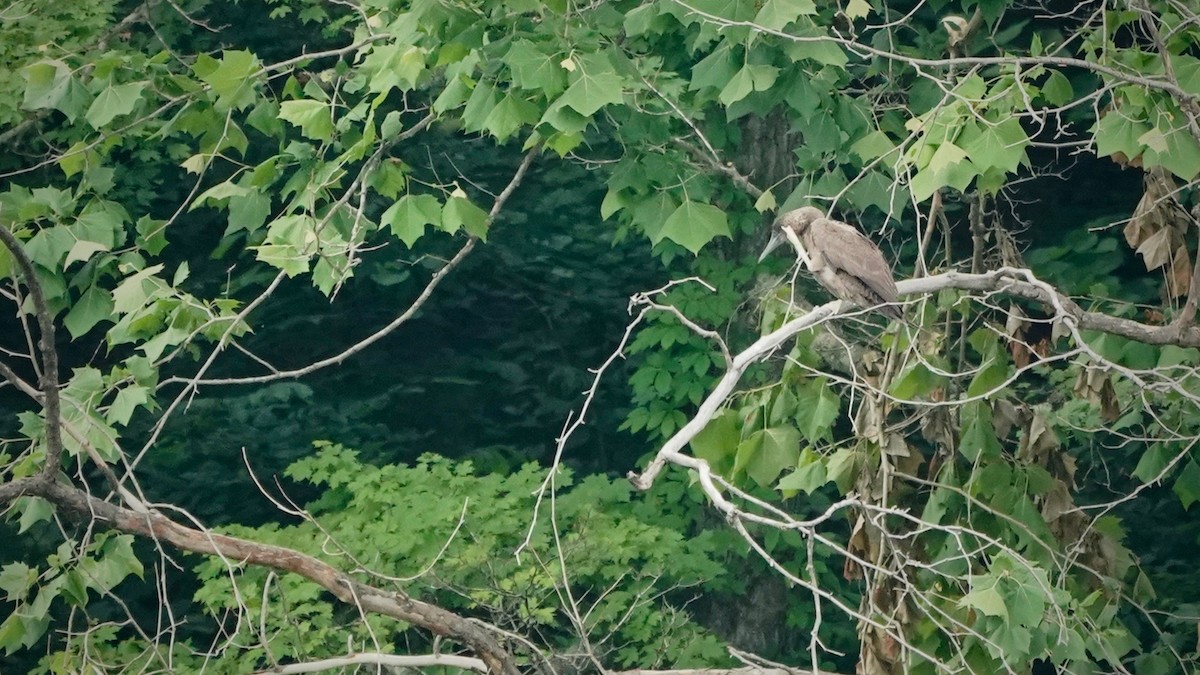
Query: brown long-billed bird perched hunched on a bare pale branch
{"x": 843, "y": 260}
